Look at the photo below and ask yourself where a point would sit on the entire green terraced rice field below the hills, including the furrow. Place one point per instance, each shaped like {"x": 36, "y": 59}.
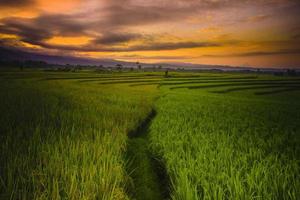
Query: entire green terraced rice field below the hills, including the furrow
{"x": 146, "y": 136}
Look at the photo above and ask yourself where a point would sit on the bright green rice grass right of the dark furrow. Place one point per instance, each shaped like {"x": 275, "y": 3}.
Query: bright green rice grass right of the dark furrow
{"x": 224, "y": 146}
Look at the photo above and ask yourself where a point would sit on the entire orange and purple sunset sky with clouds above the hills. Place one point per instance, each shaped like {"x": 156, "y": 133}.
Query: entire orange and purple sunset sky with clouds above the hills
{"x": 257, "y": 33}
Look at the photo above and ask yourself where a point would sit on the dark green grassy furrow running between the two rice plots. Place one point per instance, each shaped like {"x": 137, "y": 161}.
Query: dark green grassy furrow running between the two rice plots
{"x": 147, "y": 172}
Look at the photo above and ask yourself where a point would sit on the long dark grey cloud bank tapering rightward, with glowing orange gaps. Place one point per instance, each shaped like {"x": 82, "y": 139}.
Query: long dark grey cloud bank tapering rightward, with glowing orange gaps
{"x": 38, "y": 30}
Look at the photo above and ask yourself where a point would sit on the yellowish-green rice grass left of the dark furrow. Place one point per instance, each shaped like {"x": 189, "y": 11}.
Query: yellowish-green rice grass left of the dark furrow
{"x": 66, "y": 141}
